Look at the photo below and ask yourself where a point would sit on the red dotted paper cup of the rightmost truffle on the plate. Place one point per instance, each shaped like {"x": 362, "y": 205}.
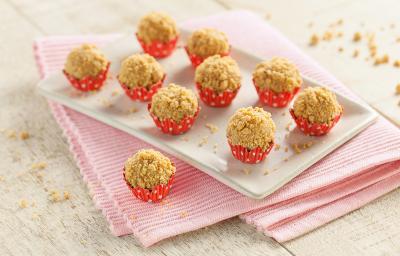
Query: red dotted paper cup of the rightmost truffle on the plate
{"x": 314, "y": 129}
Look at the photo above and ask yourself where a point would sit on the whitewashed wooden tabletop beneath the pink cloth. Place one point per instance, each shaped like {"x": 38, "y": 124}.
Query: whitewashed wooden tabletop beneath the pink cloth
{"x": 75, "y": 226}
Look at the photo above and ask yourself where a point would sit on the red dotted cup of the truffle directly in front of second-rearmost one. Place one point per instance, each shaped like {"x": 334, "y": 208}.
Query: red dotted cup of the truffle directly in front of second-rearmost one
{"x": 214, "y": 99}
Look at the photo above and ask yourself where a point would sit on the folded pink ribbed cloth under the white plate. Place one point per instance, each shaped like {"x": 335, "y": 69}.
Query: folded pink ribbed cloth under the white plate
{"x": 363, "y": 169}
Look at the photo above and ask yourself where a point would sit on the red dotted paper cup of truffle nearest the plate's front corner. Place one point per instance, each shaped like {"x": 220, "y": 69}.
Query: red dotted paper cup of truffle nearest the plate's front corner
{"x": 247, "y": 156}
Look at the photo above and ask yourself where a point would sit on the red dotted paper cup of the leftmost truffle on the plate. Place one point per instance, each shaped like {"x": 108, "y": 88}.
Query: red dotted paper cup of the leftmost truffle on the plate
{"x": 88, "y": 83}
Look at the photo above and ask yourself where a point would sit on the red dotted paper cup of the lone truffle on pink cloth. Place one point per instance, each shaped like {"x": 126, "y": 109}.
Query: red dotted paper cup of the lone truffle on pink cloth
{"x": 153, "y": 195}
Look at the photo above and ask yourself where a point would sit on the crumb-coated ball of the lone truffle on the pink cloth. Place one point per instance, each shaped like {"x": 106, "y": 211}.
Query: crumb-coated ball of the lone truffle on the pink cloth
{"x": 148, "y": 168}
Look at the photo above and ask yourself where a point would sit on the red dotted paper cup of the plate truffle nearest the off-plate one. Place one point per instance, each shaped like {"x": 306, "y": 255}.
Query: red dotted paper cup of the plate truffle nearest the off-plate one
{"x": 171, "y": 127}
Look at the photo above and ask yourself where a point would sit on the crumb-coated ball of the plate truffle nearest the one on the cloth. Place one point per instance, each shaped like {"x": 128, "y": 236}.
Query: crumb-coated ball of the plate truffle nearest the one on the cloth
{"x": 174, "y": 102}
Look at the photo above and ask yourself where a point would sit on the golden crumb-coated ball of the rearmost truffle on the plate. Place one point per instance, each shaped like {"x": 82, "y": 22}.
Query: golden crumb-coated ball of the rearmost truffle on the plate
{"x": 157, "y": 26}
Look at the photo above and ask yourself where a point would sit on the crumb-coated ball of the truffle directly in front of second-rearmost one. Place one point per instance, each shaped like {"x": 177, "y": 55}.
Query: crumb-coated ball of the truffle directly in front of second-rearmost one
{"x": 219, "y": 74}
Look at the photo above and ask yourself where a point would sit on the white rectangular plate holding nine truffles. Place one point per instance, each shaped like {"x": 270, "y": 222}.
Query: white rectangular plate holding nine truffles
{"x": 111, "y": 106}
